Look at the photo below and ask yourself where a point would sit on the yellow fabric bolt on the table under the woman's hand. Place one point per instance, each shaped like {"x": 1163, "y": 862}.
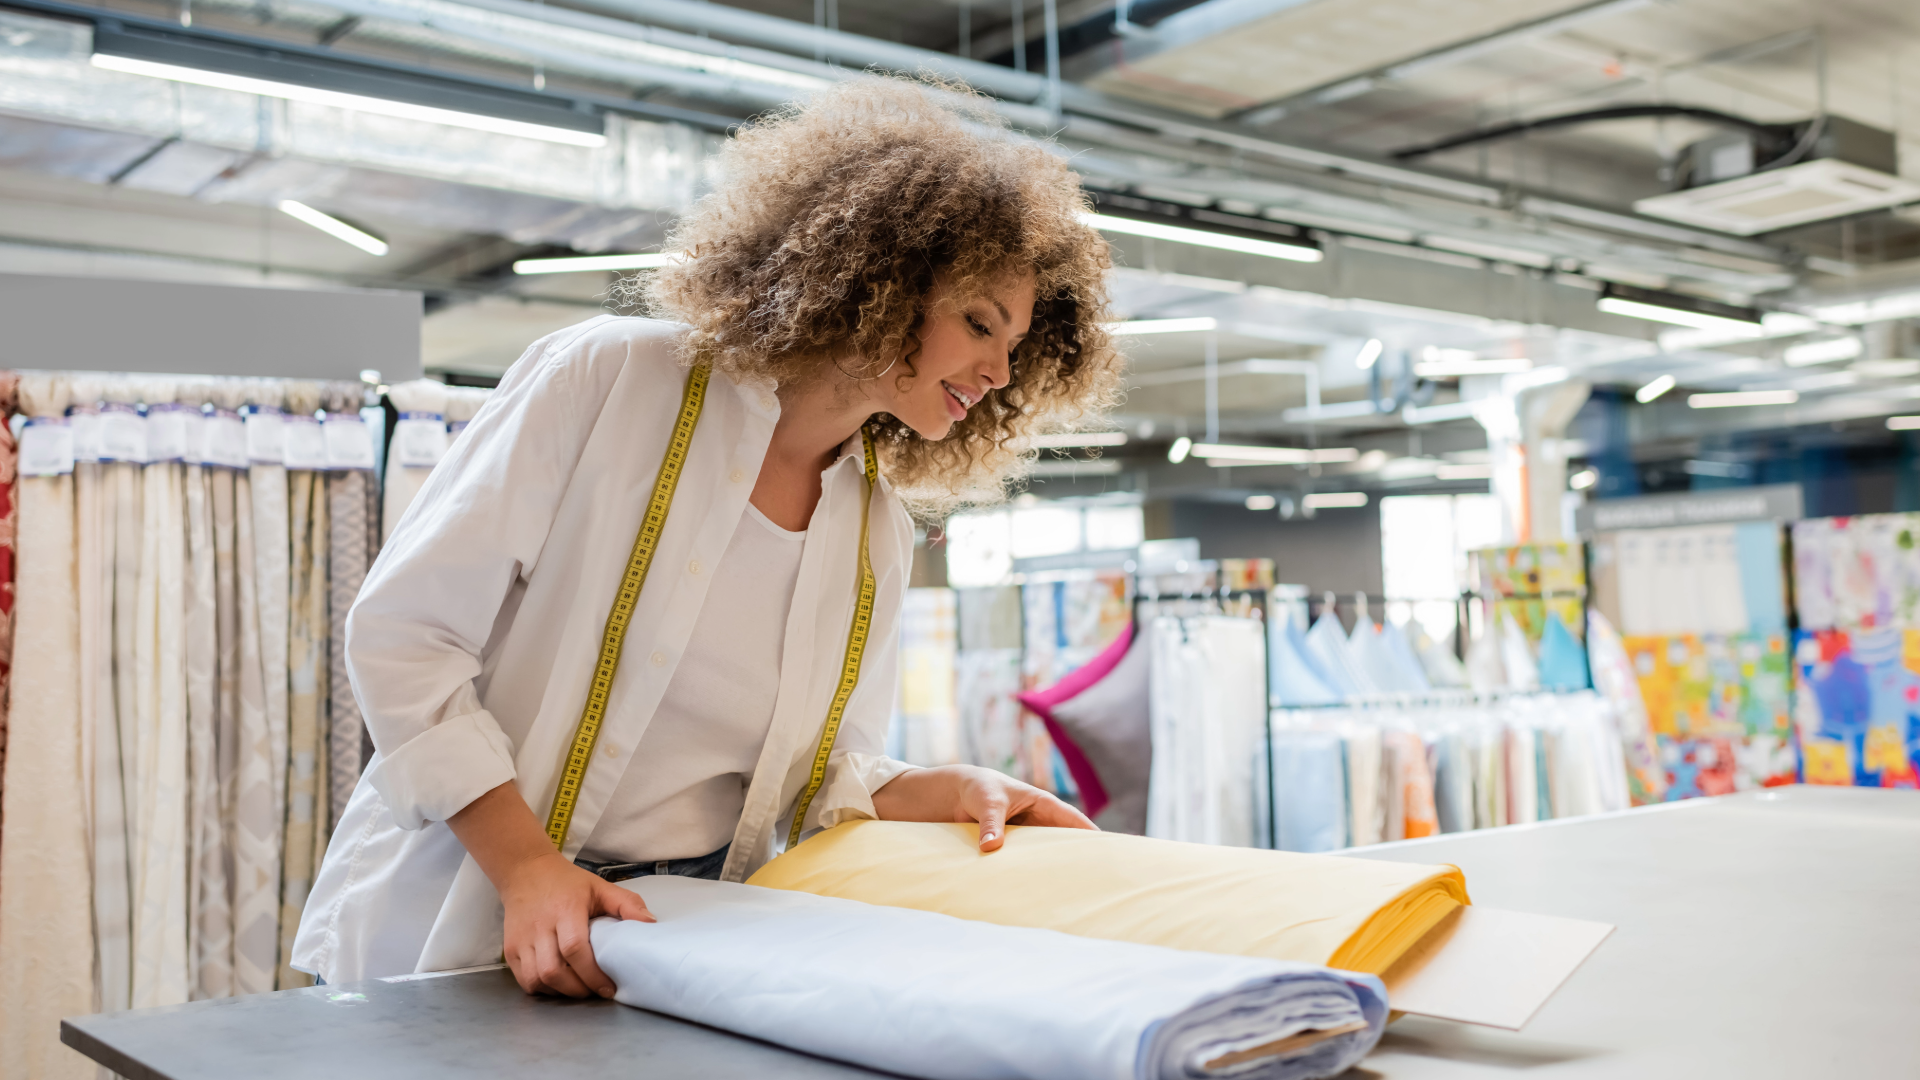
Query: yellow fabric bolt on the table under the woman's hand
{"x": 1328, "y": 910}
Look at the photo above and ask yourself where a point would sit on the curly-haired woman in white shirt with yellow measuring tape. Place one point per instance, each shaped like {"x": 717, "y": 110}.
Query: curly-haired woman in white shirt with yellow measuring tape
{"x": 880, "y": 283}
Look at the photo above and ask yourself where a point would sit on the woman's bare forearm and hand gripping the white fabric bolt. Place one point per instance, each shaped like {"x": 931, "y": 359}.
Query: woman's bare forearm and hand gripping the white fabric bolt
{"x": 550, "y": 900}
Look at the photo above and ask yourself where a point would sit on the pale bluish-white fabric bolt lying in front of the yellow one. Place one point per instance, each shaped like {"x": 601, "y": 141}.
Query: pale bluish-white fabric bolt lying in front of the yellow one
{"x": 955, "y": 1000}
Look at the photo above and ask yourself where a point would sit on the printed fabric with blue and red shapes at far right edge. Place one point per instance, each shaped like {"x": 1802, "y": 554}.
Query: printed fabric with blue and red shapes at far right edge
{"x": 1860, "y": 706}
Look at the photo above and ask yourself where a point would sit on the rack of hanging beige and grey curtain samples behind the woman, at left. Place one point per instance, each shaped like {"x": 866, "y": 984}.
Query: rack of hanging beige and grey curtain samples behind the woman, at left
{"x": 180, "y": 735}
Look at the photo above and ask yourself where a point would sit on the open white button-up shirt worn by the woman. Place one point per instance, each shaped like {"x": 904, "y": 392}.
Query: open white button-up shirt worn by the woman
{"x": 473, "y": 643}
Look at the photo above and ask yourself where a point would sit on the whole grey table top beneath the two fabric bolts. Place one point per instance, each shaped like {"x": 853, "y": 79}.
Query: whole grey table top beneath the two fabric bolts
{"x": 1764, "y": 935}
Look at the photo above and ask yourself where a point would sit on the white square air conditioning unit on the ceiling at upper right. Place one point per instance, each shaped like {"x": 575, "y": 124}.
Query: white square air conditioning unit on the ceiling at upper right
{"x": 1848, "y": 168}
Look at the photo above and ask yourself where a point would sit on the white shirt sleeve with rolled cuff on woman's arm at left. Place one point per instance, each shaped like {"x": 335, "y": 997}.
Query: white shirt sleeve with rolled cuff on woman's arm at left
{"x": 431, "y": 602}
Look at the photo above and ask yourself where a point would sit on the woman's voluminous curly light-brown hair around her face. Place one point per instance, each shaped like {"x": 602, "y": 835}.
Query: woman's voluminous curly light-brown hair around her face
{"x": 823, "y": 239}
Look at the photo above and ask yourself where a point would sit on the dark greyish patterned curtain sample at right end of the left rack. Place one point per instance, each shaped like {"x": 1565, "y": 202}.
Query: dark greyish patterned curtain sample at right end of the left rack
{"x": 347, "y": 570}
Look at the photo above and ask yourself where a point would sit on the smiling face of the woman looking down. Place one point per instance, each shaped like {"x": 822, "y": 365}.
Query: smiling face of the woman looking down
{"x": 965, "y": 353}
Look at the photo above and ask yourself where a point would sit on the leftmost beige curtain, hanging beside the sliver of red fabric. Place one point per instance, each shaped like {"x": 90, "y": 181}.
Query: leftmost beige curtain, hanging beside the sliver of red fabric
{"x": 47, "y": 945}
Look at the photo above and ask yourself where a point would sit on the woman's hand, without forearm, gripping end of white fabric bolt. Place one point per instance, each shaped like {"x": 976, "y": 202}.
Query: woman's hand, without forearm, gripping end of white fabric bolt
{"x": 550, "y": 904}
